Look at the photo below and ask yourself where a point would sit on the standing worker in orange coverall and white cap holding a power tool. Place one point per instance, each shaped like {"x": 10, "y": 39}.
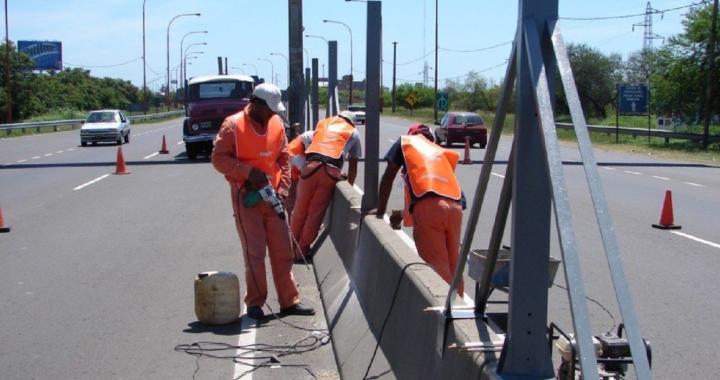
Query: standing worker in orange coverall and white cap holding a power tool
{"x": 251, "y": 151}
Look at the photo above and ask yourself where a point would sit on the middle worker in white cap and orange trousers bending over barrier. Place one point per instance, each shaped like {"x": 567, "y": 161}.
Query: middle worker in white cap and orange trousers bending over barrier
{"x": 335, "y": 140}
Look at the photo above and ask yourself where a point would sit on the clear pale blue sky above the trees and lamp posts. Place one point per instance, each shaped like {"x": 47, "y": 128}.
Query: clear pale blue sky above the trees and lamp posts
{"x": 105, "y": 36}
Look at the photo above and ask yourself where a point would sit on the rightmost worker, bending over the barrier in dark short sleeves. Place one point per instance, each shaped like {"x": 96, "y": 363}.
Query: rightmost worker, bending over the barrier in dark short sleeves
{"x": 434, "y": 201}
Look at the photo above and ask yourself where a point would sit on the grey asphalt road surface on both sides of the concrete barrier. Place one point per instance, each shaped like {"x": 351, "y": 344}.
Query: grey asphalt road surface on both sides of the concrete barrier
{"x": 97, "y": 272}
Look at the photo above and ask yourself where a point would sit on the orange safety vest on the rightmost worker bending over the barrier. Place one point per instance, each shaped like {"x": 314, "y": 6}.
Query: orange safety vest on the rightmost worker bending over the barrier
{"x": 430, "y": 169}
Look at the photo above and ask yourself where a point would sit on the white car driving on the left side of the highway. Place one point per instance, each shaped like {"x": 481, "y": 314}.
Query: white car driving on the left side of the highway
{"x": 105, "y": 126}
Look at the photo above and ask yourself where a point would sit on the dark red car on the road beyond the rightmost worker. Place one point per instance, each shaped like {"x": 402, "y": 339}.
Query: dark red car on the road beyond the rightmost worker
{"x": 455, "y": 126}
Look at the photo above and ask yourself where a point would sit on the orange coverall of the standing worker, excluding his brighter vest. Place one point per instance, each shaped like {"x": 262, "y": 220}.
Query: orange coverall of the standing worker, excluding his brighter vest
{"x": 259, "y": 227}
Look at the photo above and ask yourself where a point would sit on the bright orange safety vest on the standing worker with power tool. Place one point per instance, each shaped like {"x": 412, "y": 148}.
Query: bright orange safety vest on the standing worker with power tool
{"x": 260, "y": 151}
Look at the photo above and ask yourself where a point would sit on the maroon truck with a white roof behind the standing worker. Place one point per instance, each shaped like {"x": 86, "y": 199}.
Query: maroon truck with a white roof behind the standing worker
{"x": 208, "y": 101}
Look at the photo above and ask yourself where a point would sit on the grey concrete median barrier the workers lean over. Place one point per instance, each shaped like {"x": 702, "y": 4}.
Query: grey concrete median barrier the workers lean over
{"x": 358, "y": 268}
